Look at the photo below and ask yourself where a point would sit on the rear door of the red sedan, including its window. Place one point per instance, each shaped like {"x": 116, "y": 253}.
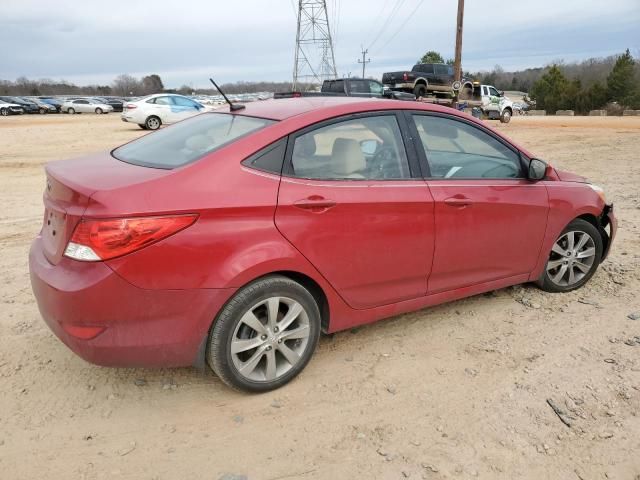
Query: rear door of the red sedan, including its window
{"x": 352, "y": 202}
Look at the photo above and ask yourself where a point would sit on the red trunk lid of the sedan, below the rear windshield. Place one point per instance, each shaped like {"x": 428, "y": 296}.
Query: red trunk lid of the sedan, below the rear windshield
{"x": 70, "y": 185}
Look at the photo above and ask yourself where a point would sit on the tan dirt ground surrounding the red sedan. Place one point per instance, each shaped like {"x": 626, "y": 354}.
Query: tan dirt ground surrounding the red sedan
{"x": 456, "y": 391}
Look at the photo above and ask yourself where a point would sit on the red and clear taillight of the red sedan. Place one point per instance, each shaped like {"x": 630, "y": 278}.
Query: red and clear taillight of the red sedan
{"x": 95, "y": 240}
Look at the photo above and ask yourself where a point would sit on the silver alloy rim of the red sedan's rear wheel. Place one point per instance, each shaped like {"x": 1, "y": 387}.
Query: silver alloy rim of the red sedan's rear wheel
{"x": 270, "y": 339}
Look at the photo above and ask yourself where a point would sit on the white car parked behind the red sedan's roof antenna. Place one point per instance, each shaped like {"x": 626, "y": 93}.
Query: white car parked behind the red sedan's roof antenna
{"x": 160, "y": 109}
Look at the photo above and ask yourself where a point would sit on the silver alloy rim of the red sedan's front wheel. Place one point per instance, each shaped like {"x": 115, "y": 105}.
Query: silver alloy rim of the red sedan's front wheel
{"x": 572, "y": 257}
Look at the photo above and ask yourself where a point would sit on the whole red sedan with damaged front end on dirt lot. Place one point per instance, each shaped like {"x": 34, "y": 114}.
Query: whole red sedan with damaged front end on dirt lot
{"x": 234, "y": 238}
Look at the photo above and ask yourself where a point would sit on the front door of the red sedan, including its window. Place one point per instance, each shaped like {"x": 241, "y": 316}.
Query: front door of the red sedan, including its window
{"x": 489, "y": 219}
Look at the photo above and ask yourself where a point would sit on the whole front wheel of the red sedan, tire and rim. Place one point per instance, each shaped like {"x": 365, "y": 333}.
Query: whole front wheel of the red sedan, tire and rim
{"x": 562, "y": 256}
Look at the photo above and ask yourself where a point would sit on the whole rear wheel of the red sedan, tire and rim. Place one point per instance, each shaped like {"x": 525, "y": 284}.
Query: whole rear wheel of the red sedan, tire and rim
{"x": 263, "y": 343}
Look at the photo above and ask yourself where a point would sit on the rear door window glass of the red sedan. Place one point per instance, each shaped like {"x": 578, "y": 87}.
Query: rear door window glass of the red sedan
{"x": 364, "y": 148}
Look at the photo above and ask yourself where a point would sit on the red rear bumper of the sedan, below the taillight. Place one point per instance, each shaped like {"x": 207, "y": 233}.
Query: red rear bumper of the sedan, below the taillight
{"x": 108, "y": 321}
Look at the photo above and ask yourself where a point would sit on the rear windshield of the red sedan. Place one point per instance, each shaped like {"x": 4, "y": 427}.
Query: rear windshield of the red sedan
{"x": 188, "y": 140}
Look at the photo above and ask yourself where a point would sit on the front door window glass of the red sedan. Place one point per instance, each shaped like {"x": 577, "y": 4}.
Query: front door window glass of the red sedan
{"x": 456, "y": 149}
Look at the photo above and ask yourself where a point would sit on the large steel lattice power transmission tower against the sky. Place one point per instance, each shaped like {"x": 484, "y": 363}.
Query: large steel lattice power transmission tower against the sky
{"x": 314, "y": 60}
